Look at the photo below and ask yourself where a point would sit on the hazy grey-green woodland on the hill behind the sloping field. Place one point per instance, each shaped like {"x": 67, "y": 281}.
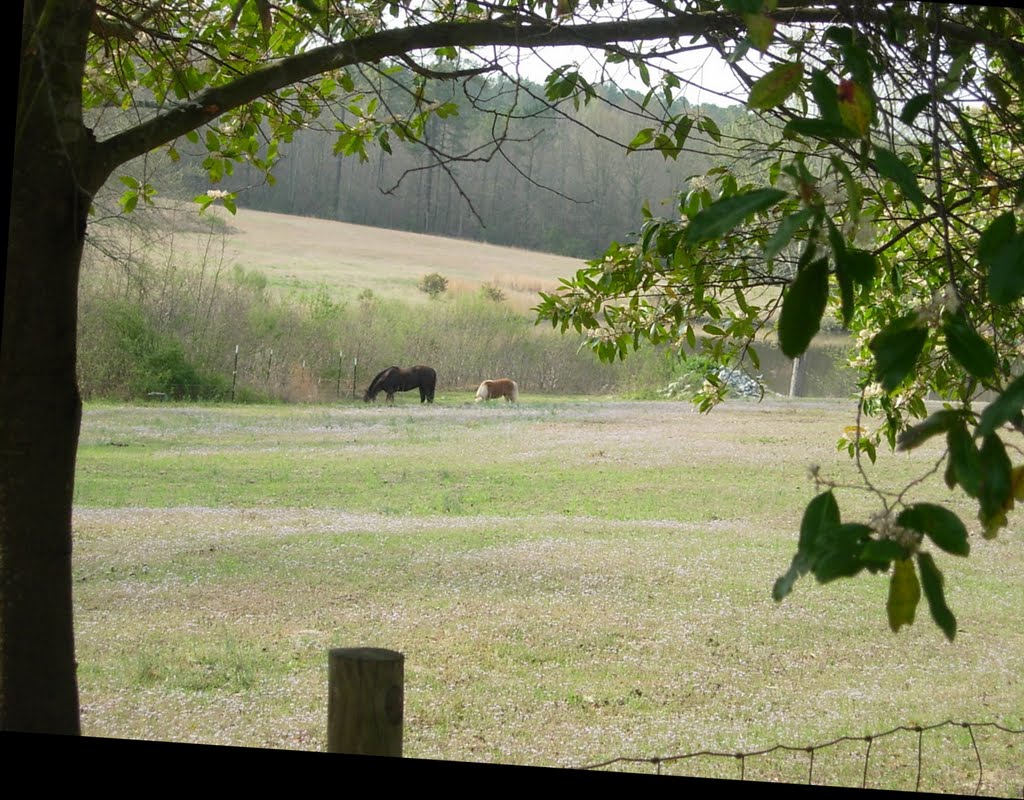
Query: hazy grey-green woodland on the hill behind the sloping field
{"x": 556, "y": 181}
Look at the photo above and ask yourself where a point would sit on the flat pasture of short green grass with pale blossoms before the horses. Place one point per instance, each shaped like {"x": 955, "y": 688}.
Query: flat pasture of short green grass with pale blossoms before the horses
{"x": 570, "y": 582}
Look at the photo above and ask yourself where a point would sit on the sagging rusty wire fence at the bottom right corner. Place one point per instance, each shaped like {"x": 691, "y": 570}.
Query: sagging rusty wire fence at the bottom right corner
{"x": 1009, "y": 756}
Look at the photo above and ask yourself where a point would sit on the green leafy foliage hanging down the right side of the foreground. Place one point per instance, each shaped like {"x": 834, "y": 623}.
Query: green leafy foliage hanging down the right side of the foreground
{"x": 889, "y": 147}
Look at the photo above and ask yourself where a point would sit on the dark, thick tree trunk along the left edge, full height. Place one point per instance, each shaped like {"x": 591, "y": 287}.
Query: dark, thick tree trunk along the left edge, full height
{"x": 40, "y": 409}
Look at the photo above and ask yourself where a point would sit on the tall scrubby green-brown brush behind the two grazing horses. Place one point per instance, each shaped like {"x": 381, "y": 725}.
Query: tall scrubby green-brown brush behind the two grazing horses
{"x": 176, "y": 331}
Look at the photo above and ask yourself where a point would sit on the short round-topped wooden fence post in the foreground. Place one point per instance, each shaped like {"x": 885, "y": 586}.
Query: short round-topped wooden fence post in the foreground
{"x": 365, "y": 702}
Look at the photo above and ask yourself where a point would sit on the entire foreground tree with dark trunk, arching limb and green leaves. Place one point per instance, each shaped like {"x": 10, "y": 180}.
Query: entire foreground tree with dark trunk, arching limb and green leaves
{"x": 887, "y": 193}
